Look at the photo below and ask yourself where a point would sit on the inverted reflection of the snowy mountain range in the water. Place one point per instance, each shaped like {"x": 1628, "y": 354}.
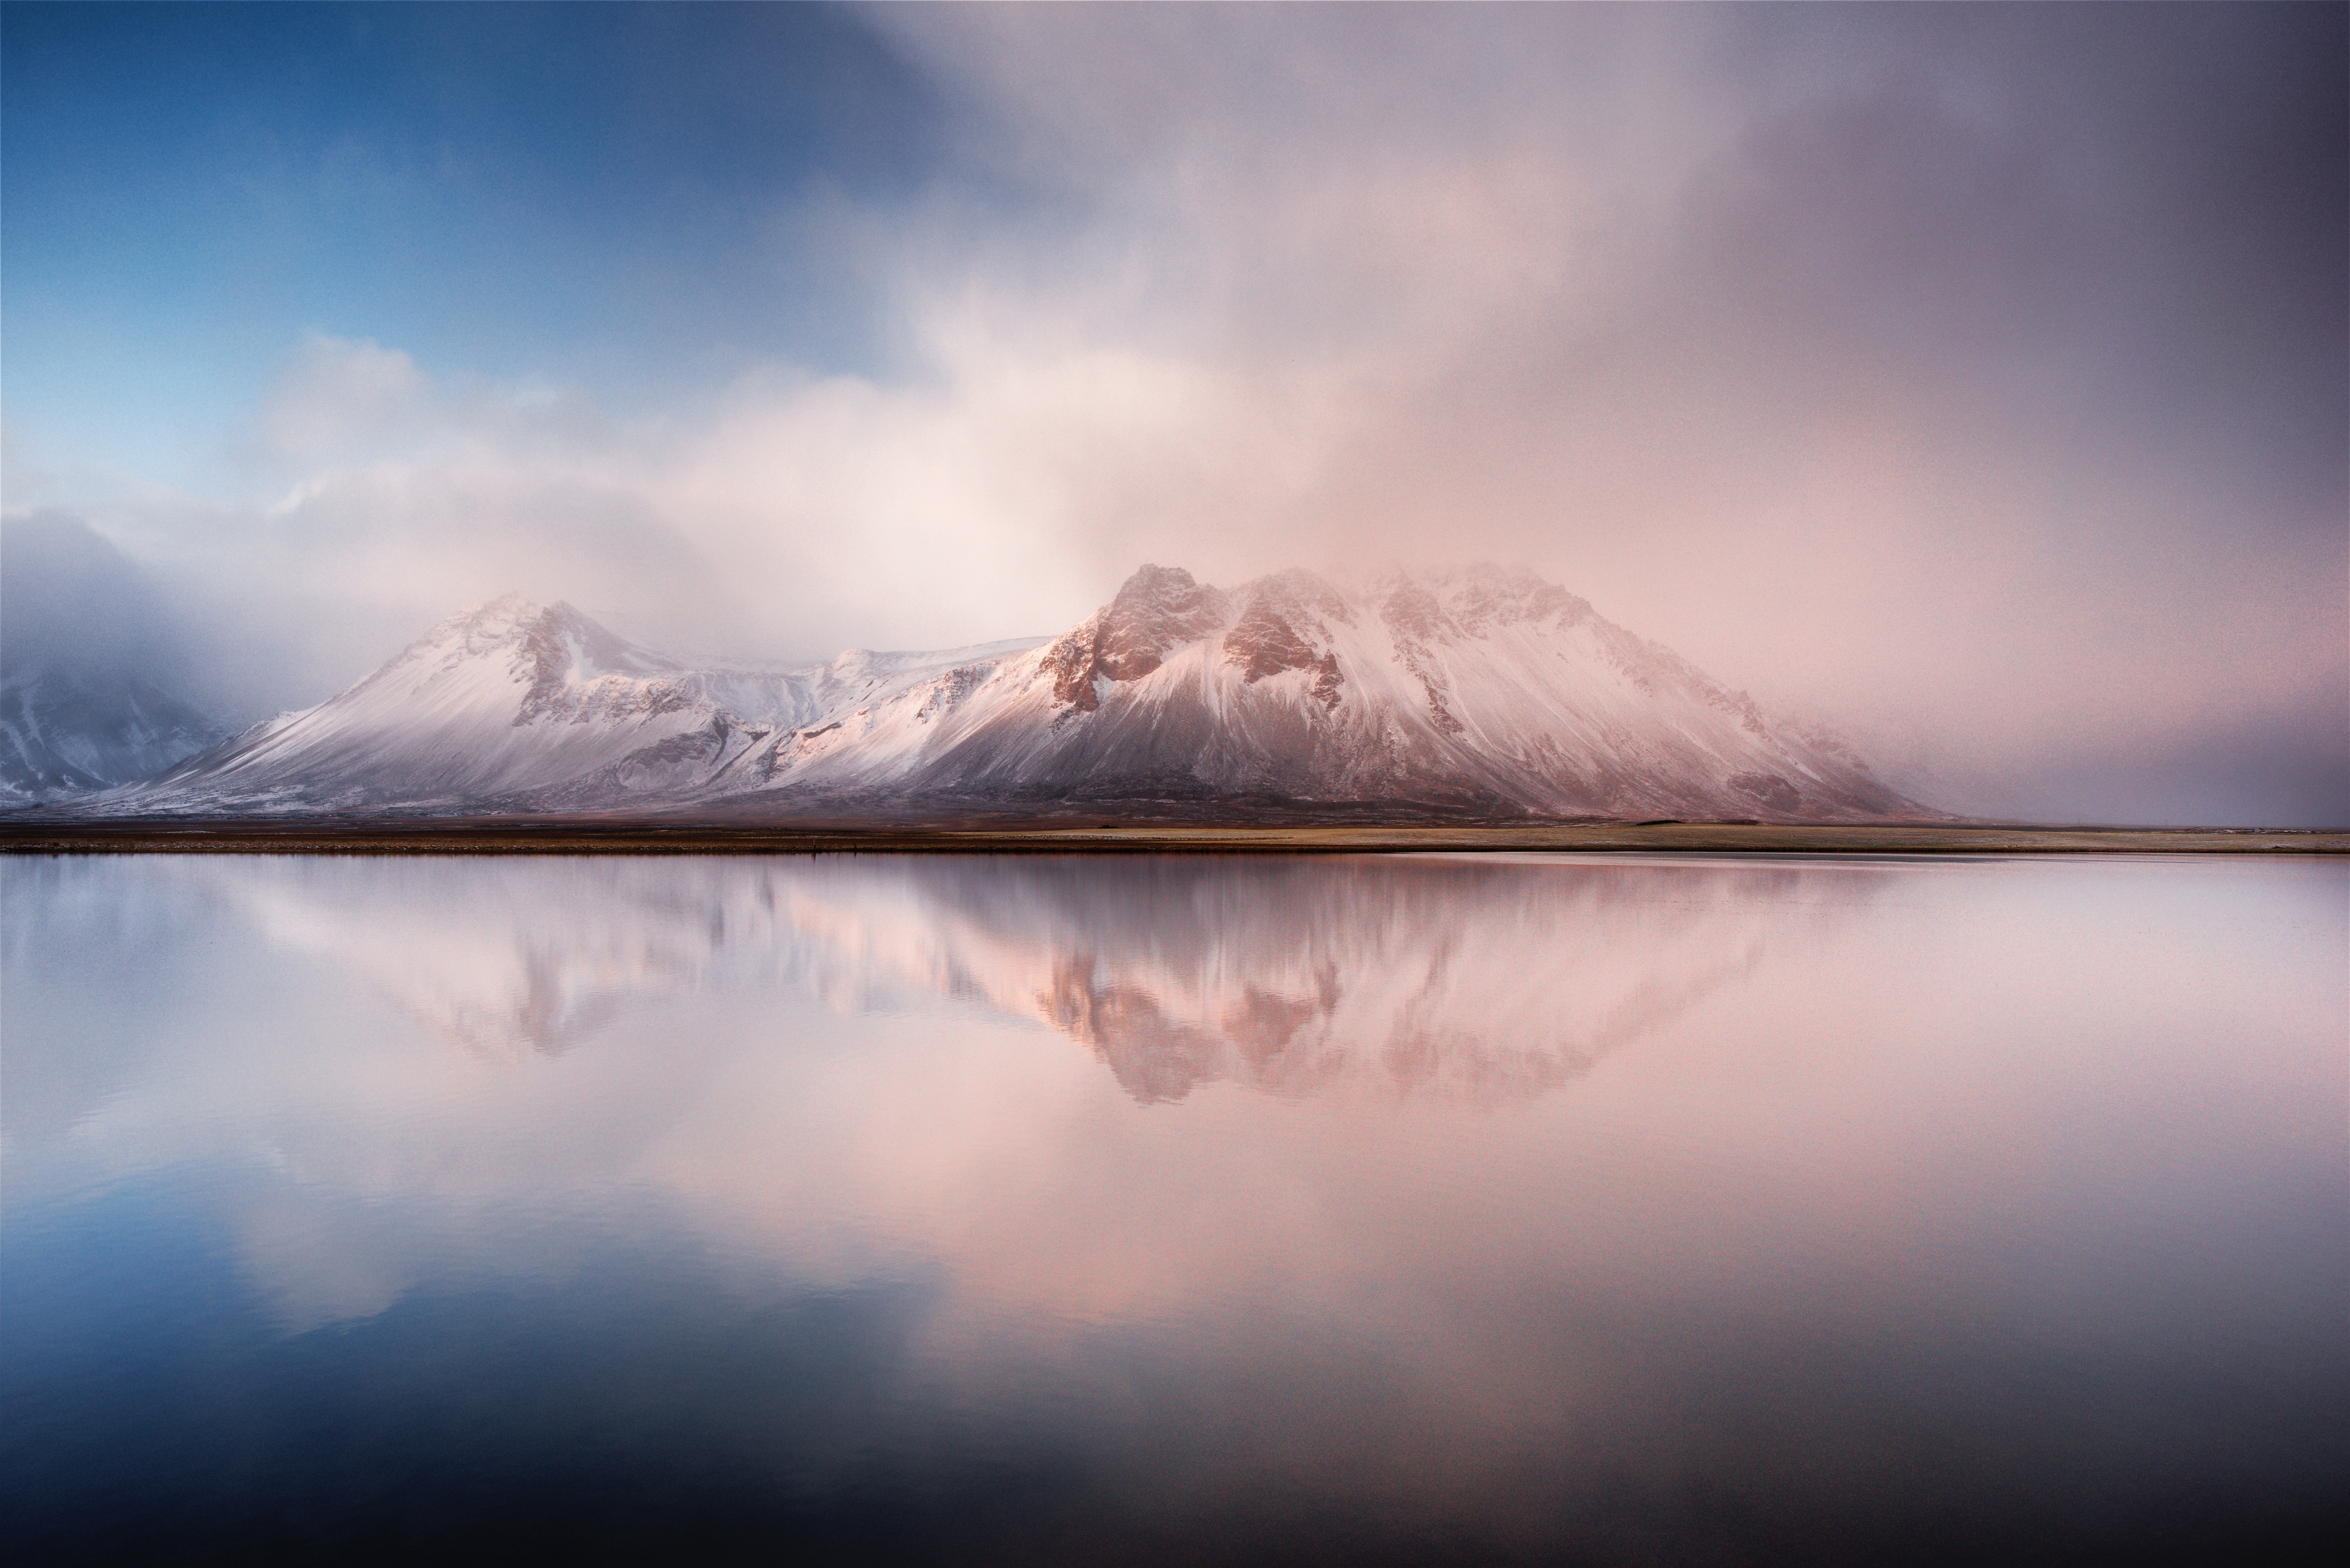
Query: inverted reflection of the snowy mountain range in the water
{"x": 1472, "y": 979}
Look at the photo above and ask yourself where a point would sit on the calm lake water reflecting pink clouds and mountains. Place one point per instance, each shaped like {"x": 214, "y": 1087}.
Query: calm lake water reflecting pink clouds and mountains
{"x": 1204, "y": 1209}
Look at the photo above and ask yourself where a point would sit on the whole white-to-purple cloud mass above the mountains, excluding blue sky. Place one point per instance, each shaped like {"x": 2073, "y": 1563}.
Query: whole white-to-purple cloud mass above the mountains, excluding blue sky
{"x": 1966, "y": 377}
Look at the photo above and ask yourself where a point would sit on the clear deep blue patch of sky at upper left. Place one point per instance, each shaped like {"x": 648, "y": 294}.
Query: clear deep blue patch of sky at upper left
{"x": 626, "y": 199}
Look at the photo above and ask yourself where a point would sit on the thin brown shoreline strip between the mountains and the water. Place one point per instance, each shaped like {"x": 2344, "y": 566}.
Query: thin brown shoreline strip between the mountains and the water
{"x": 647, "y": 838}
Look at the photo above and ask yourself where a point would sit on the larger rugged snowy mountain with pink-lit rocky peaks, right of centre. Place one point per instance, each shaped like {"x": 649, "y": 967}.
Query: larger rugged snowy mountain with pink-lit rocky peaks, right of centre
{"x": 1479, "y": 690}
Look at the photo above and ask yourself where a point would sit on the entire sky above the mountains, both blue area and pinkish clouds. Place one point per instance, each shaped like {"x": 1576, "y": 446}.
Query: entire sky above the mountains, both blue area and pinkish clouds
{"x": 1975, "y": 380}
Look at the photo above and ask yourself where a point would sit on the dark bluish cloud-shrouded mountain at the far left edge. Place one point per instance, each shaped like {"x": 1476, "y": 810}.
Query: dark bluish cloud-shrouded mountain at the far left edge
{"x": 95, "y": 676}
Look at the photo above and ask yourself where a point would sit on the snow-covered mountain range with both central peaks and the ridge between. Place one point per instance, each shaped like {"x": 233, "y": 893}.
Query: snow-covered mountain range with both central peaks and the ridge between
{"x": 1475, "y": 692}
